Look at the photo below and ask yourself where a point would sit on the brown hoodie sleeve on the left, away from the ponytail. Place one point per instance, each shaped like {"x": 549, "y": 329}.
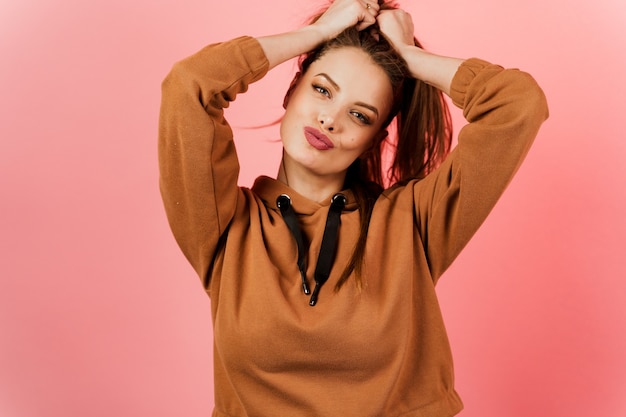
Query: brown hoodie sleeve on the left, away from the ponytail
{"x": 197, "y": 158}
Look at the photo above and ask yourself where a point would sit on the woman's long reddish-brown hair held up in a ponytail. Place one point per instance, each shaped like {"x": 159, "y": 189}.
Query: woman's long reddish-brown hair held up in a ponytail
{"x": 419, "y": 116}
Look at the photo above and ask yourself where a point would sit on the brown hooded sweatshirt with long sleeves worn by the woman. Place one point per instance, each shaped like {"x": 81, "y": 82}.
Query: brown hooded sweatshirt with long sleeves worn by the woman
{"x": 378, "y": 350}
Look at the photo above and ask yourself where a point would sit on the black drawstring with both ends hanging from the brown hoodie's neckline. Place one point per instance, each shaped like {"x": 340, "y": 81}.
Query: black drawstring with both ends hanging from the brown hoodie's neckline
{"x": 329, "y": 241}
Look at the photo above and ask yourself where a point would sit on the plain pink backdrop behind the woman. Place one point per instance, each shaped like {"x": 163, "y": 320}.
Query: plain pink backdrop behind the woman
{"x": 100, "y": 315}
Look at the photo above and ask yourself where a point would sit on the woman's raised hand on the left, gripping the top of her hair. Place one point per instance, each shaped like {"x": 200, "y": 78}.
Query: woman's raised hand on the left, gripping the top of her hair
{"x": 343, "y": 14}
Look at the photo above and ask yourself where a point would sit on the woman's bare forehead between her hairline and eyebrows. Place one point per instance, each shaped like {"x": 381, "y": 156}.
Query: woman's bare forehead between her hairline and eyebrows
{"x": 354, "y": 70}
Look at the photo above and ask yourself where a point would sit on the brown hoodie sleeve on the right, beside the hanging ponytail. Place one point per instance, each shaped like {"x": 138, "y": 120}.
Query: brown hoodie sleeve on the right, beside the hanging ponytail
{"x": 504, "y": 108}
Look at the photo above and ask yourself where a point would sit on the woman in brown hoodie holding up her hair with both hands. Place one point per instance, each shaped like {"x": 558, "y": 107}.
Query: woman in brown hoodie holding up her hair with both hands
{"x": 322, "y": 283}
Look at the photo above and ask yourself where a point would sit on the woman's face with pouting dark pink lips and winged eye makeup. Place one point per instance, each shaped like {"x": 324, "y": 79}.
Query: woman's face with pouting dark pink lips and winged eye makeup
{"x": 335, "y": 112}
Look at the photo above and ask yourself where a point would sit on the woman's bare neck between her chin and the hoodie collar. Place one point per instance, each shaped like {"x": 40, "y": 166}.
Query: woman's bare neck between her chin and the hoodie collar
{"x": 308, "y": 184}
